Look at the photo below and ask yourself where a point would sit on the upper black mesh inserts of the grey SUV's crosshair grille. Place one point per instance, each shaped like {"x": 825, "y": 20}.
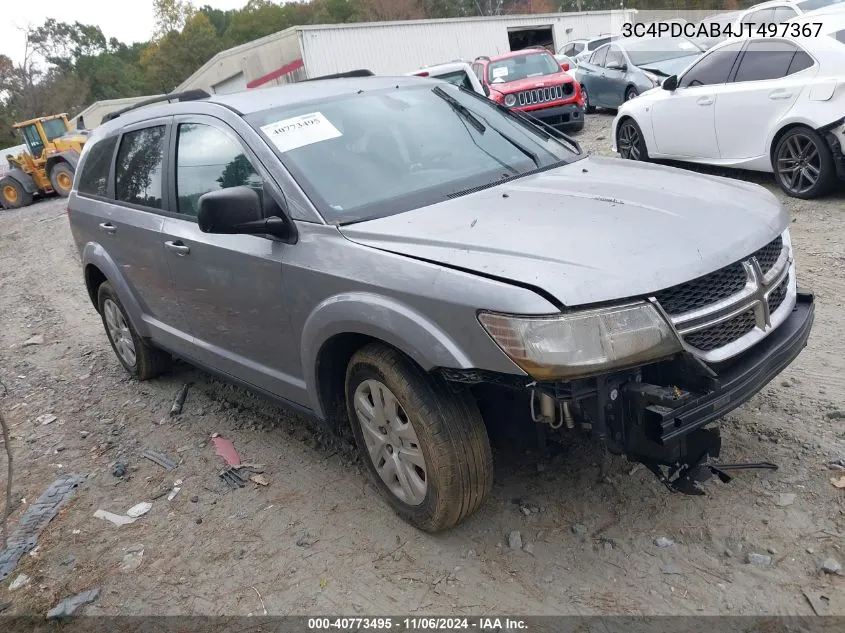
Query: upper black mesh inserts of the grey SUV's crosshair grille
{"x": 716, "y": 286}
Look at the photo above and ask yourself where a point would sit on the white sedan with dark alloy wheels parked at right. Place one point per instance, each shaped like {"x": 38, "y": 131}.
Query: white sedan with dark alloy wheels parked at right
{"x": 764, "y": 104}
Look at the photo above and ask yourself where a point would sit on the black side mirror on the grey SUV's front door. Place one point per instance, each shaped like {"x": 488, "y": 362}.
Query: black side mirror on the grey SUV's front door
{"x": 237, "y": 210}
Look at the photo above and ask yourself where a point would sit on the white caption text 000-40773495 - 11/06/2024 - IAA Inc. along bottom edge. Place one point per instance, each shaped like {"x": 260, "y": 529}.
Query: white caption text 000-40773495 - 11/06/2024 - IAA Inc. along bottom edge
{"x": 436, "y": 624}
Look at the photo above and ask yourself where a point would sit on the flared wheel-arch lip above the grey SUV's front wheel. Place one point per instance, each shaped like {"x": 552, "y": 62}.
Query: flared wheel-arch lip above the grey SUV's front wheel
{"x": 382, "y": 318}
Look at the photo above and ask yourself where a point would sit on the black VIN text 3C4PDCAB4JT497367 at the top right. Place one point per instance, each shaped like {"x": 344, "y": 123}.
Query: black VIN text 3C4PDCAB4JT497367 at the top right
{"x": 714, "y": 29}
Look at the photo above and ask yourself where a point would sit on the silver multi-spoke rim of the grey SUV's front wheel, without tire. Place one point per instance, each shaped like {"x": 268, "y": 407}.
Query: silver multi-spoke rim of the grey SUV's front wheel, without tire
{"x": 391, "y": 441}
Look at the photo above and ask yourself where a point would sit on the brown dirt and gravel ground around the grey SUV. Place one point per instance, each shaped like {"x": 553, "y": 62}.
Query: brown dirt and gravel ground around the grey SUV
{"x": 319, "y": 540}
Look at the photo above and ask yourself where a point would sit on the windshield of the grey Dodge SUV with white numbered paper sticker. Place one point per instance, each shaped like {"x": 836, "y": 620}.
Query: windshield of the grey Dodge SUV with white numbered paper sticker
{"x": 383, "y": 152}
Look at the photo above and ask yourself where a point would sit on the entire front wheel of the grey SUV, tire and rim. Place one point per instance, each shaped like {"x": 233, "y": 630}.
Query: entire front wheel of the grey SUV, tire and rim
{"x": 426, "y": 447}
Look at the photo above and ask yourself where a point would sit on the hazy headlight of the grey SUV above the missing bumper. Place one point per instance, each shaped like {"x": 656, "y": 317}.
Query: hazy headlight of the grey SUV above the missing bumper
{"x": 582, "y": 343}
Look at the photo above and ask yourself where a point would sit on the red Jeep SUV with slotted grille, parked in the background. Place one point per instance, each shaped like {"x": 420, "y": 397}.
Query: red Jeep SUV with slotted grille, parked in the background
{"x": 532, "y": 81}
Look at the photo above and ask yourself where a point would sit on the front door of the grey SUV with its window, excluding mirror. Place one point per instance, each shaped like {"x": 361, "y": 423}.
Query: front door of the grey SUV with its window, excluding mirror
{"x": 230, "y": 286}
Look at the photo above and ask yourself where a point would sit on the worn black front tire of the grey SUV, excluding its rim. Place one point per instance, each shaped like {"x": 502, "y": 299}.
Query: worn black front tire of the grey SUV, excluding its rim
{"x": 450, "y": 431}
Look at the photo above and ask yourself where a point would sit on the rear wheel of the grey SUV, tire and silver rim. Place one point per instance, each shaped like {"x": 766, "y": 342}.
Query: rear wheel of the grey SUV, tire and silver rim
{"x": 139, "y": 358}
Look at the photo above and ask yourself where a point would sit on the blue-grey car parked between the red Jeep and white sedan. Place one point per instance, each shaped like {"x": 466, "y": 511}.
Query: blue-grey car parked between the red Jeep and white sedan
{"x": 621, "y": 70}
